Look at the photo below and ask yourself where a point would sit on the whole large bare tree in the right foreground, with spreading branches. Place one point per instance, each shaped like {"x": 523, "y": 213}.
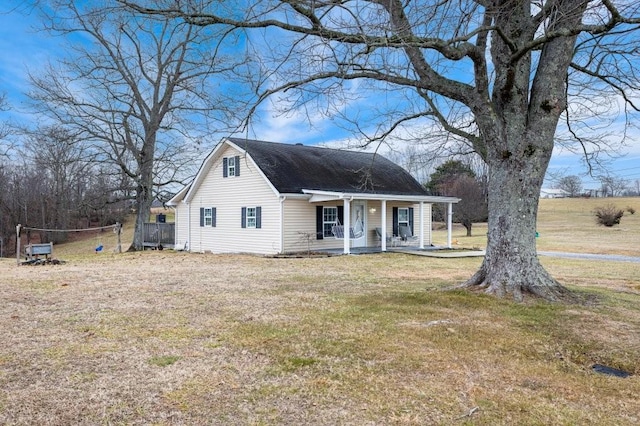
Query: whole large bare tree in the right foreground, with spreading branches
{"x": 498, "y": 75}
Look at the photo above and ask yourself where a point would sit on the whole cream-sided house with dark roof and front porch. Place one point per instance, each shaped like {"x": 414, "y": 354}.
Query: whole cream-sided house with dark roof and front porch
{"x": 268, "y": 198}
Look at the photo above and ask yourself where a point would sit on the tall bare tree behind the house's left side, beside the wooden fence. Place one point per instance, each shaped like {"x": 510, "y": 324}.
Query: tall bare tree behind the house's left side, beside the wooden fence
{"x": 136, "y": 87}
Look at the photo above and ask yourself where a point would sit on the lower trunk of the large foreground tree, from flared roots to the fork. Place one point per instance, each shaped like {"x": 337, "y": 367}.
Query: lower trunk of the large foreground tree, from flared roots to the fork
{"x": 511, "y": 266}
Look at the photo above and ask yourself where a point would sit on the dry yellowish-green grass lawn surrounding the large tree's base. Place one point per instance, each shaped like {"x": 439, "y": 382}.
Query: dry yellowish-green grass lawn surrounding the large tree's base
{"x": 170, "y": 338}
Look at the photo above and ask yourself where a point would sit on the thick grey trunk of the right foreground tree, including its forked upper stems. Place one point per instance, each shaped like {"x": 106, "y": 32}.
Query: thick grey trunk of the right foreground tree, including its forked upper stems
{"x": 519, "y": 138}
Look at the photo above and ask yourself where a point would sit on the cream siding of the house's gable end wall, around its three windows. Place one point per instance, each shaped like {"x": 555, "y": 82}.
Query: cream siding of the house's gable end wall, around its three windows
{"x": 228, "y": 195}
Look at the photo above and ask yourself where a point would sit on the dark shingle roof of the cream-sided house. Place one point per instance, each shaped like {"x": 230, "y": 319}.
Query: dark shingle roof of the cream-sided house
{"x": 291, "y": 168}
